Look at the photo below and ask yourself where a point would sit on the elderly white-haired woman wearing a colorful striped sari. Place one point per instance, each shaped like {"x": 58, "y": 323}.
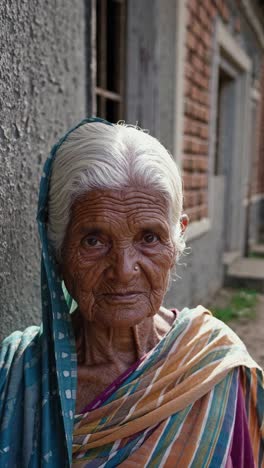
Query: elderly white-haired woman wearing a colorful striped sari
{"x": 112, "y": 378}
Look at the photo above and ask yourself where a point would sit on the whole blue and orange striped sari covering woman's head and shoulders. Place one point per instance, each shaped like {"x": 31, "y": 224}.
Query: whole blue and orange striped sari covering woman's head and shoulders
{"x": 174, "y": 407}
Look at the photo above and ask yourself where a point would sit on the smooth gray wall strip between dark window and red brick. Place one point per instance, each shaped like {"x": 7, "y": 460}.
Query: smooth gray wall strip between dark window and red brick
{"x": 151, "y": 53}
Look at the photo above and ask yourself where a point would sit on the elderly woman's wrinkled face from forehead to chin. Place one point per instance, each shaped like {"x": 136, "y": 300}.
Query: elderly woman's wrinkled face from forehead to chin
{"x": 117, "y": 255}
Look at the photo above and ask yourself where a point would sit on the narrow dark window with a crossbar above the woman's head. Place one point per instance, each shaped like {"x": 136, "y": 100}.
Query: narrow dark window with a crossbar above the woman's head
{"x": 110, "y": 54}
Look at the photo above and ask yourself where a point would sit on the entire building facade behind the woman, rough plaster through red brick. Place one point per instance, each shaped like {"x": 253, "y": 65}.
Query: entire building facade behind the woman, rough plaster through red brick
{"x": 189, "y": 71}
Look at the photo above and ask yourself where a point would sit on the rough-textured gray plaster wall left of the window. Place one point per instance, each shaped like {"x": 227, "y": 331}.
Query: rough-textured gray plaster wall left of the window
{"x": 42, "y": 78}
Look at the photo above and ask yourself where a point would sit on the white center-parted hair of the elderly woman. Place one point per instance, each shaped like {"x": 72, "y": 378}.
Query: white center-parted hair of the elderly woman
{"x": 100, "y": 156}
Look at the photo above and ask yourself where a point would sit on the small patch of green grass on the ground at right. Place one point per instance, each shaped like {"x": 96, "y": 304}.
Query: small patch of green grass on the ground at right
{"x": 241, "y": 304}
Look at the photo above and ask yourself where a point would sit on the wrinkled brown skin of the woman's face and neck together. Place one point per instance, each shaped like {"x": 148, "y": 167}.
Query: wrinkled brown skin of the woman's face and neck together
{"x": 119, "y": 316}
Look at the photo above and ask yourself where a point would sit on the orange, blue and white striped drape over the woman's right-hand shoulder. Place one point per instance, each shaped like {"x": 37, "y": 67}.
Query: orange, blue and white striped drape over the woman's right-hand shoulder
{"x": 178, "y": 407}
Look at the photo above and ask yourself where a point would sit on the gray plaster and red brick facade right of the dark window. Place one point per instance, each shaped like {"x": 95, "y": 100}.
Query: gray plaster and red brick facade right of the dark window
{"x": 194, "y": 78}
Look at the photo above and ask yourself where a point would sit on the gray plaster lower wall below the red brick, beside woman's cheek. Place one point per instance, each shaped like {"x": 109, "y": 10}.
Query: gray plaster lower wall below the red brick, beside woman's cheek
{"x": 200, "y": 270}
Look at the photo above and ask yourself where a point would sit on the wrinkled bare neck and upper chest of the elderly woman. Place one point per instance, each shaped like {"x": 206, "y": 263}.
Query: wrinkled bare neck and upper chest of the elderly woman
{"x": 103, "y": 354}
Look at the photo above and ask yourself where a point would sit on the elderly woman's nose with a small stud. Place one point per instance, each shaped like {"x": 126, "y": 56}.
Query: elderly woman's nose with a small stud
{"x": 122, "y": 265}
